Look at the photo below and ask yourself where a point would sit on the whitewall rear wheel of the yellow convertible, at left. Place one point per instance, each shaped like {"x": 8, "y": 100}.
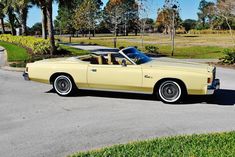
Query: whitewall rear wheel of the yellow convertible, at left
{"x": 64, "y": 85}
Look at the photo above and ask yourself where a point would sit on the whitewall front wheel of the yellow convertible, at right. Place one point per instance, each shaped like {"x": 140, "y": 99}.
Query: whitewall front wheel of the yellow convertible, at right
{"x": 170, "y": 91}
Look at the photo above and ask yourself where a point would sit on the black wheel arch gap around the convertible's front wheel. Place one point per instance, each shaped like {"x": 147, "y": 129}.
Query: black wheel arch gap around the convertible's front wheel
{"x": 181, "y": 83}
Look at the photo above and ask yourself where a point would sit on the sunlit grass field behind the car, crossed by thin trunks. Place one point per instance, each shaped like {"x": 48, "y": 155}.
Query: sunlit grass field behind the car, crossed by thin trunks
{"x": 198, "y": 46}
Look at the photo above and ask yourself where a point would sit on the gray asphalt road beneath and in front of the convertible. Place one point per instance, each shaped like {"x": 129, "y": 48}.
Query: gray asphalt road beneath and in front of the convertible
{"x": 35, "y": 122}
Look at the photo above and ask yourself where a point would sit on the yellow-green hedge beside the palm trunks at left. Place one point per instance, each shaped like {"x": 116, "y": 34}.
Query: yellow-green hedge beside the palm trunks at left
{"x": 37, "y": 45}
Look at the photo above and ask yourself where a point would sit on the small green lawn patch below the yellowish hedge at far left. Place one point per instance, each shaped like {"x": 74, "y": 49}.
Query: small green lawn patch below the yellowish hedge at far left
{"x": 15, "y": 53}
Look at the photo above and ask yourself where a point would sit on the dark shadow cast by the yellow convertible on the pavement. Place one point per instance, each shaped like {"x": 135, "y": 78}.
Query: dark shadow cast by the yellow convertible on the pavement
{"x": 221, "y": 97}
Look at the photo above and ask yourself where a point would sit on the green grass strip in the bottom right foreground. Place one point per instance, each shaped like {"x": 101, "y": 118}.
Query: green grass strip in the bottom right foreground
{"x": 206, "y": 145}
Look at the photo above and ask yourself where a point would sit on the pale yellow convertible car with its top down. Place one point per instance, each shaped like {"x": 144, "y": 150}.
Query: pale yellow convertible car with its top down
{"x": 129, "y": 70}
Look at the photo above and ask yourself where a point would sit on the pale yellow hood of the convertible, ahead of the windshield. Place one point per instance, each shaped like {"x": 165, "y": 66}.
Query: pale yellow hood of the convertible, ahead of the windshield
{"x": 177, "y": 64}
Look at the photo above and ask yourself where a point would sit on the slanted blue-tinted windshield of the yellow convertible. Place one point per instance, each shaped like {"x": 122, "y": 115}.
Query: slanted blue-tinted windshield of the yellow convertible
{"x": 136, "y": 56}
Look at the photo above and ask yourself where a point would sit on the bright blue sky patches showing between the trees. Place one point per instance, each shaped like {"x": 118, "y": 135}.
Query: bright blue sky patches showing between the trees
{"x": 189, "y": 9}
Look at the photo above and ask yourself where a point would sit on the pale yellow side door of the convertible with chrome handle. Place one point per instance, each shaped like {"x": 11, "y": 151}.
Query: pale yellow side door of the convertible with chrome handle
{"x": 115, "y": 77}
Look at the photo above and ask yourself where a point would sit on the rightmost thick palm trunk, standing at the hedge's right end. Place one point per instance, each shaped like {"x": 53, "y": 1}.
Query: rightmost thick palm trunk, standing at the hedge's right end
{"x": 50, "y": 27}
